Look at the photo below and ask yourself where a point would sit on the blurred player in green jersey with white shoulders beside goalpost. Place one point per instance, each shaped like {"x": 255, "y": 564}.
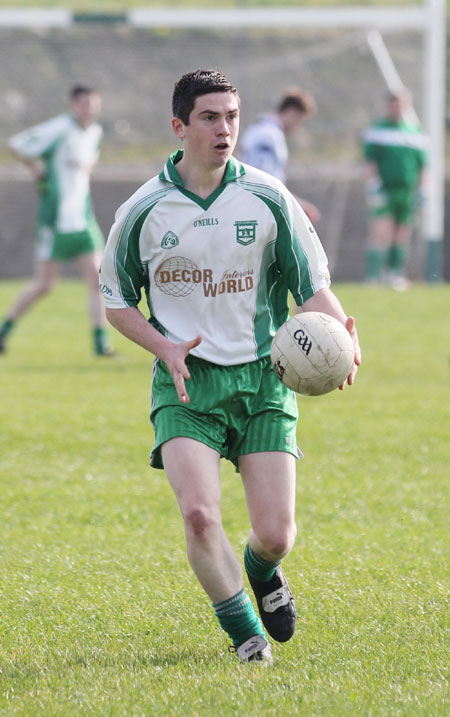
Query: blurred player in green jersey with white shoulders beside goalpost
{"x": 394, "y": 148}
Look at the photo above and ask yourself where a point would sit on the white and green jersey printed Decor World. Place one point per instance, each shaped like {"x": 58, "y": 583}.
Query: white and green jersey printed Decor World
{"x": 220, "y": 267}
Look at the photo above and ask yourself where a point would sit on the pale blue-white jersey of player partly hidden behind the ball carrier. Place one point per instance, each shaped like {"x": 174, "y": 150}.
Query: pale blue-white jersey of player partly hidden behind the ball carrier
{"x": 264, "y": 146}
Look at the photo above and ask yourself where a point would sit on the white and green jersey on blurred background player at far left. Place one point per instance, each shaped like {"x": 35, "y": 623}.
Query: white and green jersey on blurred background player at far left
{"x": 69, "y": 152}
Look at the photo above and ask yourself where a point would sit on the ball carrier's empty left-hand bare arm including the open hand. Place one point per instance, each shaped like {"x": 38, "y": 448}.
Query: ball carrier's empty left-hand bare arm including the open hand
{"x": 133, "y": 324}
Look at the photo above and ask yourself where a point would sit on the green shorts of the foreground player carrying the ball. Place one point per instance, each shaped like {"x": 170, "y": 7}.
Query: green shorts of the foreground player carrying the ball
{"x": 235, "y": 410}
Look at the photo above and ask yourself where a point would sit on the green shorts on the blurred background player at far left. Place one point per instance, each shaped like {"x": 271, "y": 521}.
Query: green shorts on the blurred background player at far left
{"x": 55, "y": 246}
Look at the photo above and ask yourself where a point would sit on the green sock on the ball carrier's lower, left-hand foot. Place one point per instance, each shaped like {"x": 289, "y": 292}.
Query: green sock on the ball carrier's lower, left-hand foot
{"x": 238, "y": 618}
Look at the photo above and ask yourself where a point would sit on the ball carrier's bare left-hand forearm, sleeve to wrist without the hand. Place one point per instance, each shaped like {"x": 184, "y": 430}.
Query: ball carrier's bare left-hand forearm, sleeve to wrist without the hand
{"x": 132, "y": 324}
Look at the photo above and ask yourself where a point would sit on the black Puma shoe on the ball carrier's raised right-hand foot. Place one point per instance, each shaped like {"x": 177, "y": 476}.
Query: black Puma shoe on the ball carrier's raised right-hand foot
{"x": 276, "y": 606}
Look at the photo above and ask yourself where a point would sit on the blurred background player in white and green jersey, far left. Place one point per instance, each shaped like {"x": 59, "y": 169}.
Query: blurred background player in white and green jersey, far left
{"x": 60, "y": 154}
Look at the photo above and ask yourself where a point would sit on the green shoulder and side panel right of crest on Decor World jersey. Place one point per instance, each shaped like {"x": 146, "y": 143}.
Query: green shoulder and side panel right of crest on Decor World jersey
{"x": 284, "y": 265}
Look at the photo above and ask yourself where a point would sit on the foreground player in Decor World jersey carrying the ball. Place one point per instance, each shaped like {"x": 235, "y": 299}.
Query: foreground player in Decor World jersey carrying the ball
{"x": 216, "y": 246}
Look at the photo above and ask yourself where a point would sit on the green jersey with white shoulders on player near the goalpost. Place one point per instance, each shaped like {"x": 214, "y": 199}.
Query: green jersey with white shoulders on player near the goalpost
{"x": 398, "y": 150}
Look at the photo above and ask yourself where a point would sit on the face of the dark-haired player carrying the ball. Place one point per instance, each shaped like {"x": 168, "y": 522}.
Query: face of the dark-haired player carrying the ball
{"x": 211, "y": 135}
